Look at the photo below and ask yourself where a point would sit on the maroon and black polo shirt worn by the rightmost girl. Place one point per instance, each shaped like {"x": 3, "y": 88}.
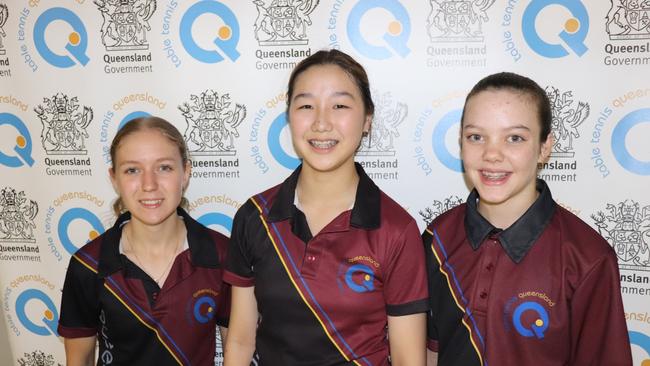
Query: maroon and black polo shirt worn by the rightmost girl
{"x": 544, "y": 291}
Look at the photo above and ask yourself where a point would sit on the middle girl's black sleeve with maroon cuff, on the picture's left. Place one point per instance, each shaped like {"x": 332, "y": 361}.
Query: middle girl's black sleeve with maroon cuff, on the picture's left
{"x": 239, "y": 266}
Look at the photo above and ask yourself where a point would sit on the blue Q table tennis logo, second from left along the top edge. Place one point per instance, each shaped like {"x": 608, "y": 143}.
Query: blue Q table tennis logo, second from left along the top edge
{"x": 218, "y": 42}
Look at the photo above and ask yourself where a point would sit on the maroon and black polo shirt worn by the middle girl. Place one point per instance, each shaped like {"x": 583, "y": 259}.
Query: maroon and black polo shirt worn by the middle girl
{"x": 324, "y": 300}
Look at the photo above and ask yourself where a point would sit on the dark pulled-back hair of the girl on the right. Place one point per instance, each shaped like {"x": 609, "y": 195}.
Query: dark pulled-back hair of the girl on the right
{"x": 520, "y": 84}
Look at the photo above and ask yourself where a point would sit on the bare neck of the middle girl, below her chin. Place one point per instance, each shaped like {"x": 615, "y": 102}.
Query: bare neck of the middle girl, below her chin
{"x": 327, "y": 188}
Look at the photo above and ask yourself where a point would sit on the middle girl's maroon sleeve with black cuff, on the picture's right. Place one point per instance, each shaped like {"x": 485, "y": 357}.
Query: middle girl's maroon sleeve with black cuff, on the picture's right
{"x": 406, "y": 282}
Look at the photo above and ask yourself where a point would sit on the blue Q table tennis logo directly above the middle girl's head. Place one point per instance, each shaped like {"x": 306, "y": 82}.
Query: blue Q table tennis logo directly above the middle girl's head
{"x": 394, "y": 31}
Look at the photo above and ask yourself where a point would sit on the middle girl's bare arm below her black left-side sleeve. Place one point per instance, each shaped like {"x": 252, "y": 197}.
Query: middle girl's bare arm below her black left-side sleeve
{"x": 240, "y": 343}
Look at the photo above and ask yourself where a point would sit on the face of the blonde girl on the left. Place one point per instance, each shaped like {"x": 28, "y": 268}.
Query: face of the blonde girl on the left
{"x": 149, "y": 176}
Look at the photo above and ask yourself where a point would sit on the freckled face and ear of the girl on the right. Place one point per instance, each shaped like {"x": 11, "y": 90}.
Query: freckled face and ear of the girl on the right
{"x": 500, "y": 147}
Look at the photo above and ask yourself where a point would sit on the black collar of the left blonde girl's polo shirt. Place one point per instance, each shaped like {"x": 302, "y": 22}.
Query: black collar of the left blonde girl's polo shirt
{"x": 203, "y": 252}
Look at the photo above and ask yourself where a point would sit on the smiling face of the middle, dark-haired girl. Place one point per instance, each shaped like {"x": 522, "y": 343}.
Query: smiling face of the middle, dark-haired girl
{"x": 327, "y": 118}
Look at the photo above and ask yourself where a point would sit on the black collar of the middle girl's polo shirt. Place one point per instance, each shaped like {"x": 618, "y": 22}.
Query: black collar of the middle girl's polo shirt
{"x": 365, "y": 213}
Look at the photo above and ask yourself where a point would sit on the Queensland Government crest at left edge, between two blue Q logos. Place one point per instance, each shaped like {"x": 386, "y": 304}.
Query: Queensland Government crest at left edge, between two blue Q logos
{"x": 17, "y": 214}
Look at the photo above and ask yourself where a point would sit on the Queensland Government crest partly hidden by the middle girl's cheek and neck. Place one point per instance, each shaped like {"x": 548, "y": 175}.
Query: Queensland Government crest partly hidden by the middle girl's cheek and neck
{"x": 377, "y": 151}
